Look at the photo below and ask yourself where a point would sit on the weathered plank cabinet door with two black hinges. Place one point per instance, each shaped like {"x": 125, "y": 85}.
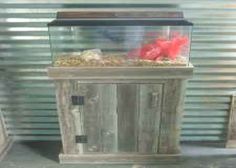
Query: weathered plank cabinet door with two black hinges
{"x": 113, "y": 118}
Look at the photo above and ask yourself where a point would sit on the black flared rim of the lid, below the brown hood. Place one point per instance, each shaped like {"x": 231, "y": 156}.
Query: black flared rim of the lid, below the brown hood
{"x": 119, "y": 22}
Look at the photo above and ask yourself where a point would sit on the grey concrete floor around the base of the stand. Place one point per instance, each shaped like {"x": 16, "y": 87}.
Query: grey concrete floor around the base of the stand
{"x": 44, "y": 155}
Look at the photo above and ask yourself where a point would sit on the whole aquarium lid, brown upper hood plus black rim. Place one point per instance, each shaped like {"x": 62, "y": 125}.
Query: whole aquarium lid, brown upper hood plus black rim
{"x": 120, "y": 18}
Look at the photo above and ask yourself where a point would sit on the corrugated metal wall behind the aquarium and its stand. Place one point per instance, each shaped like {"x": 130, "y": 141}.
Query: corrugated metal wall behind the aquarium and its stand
{"x": 27, "y": 96}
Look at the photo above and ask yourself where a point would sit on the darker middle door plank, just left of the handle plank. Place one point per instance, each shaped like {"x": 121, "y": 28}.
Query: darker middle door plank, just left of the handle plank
{"x": 127, "y": 111}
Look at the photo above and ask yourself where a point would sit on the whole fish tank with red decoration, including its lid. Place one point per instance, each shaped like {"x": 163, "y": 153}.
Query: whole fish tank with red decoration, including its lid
{"x": 120, "y": 39}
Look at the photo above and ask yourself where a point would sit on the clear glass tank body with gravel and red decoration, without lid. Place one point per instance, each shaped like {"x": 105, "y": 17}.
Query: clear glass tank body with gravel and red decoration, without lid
{"x": 120, "y": 45}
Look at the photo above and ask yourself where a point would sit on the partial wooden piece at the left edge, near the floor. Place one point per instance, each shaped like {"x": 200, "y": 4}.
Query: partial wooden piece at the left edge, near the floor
{"x": 5, "y": 142}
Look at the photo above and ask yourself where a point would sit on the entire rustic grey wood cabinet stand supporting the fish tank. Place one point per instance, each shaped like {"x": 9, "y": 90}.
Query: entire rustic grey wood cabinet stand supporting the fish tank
{"x": 120, "y": 115}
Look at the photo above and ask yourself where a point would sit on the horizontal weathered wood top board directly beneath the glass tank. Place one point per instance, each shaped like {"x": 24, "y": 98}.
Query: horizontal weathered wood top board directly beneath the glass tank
{"x": 120, "y": 73}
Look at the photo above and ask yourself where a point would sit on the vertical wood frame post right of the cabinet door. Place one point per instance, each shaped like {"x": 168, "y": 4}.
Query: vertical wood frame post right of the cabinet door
{"x": 171, "y": 116}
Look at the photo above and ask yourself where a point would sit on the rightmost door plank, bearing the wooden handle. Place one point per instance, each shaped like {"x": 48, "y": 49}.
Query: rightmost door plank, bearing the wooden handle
{"x": 149, "y": 117}
